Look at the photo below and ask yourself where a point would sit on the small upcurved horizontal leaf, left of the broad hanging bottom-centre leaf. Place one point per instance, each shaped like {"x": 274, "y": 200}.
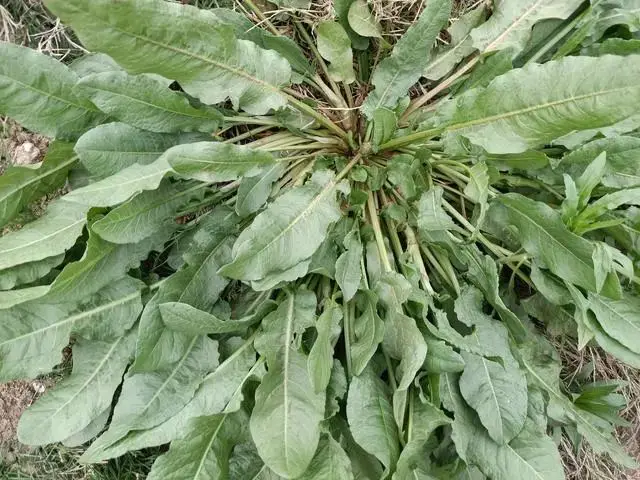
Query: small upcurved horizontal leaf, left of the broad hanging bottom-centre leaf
{"x": 182, "y": 317}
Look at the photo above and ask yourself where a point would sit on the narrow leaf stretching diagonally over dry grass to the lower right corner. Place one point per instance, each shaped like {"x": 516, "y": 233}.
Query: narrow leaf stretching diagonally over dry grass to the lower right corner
{"x": 540, "y": 360}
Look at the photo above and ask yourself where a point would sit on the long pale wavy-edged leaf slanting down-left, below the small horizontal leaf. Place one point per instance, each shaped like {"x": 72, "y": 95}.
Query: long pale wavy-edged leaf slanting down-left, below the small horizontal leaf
{"x": 220, "y": 391}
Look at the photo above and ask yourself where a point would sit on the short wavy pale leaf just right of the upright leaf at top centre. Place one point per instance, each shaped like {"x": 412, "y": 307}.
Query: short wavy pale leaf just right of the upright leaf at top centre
{"x": 443, "y": 59}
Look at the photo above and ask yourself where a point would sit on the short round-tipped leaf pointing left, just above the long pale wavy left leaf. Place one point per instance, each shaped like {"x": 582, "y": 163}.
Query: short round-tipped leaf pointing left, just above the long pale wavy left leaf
{"x": 110, "y": 148}
